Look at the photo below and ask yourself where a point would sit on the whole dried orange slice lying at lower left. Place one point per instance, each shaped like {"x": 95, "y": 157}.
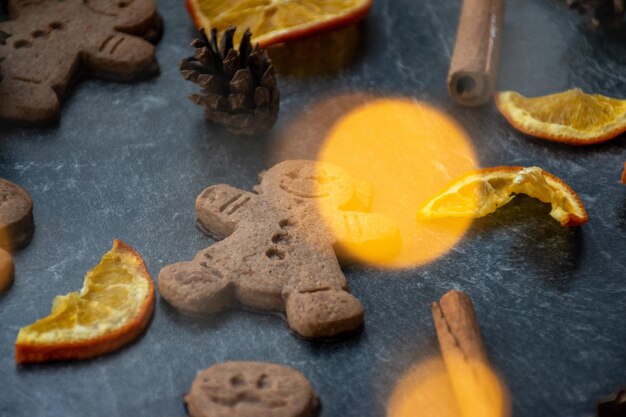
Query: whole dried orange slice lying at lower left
{"x": 113, "y": 307}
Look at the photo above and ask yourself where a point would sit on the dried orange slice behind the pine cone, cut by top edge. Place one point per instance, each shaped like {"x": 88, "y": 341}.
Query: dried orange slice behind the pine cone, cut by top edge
{"x": 274, "y": 21}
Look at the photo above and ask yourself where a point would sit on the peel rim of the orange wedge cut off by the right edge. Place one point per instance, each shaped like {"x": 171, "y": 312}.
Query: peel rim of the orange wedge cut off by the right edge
{"x": 522, "y": 119}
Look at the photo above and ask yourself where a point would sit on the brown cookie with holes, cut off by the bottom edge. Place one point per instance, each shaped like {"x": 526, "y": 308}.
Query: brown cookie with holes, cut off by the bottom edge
{"x": 251, "y": 389}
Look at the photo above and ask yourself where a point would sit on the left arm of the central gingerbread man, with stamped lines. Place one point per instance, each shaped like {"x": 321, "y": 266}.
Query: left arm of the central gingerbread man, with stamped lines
{"x": 220, "y": 208}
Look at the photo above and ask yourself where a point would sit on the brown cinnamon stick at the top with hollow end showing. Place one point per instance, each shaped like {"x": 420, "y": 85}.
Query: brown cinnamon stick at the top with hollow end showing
{"x": 474, "y": 64}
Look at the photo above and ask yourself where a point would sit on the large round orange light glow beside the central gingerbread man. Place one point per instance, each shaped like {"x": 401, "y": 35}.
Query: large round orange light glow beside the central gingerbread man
{"x": 408, "y": 151}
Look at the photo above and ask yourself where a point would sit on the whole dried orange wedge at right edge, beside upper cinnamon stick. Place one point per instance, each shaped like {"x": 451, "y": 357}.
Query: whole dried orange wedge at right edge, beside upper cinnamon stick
{"x": 570, "y": 117}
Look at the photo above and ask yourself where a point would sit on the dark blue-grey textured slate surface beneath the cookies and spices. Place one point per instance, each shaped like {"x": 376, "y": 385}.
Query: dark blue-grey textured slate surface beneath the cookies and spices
{"x": 126, "y": 161}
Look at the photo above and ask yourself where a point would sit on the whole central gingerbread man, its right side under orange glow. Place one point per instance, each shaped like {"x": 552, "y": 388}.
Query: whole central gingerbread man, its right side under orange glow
{"x": 278, "y": 253}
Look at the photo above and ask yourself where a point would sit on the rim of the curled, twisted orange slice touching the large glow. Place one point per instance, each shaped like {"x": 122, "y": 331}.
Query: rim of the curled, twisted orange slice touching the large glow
{"x": 532, "y": 181}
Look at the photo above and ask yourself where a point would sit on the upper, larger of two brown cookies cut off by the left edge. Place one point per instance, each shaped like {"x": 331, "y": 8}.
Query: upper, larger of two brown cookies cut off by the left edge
{"x": 16, "y": 216}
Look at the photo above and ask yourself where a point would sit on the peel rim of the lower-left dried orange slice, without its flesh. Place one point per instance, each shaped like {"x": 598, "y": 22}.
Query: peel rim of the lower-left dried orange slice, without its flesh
{"x": 28, "y": 350}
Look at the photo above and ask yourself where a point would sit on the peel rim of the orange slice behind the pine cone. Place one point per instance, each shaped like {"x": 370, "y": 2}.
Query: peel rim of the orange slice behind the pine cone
{"x": 352, "y": 14}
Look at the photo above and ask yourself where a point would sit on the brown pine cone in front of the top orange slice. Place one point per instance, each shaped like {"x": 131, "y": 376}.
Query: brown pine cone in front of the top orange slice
{"x": 239, "y": 86}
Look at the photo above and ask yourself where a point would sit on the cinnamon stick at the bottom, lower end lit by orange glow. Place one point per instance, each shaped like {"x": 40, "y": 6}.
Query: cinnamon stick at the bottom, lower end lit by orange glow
{"x": 478, "y": 391}
